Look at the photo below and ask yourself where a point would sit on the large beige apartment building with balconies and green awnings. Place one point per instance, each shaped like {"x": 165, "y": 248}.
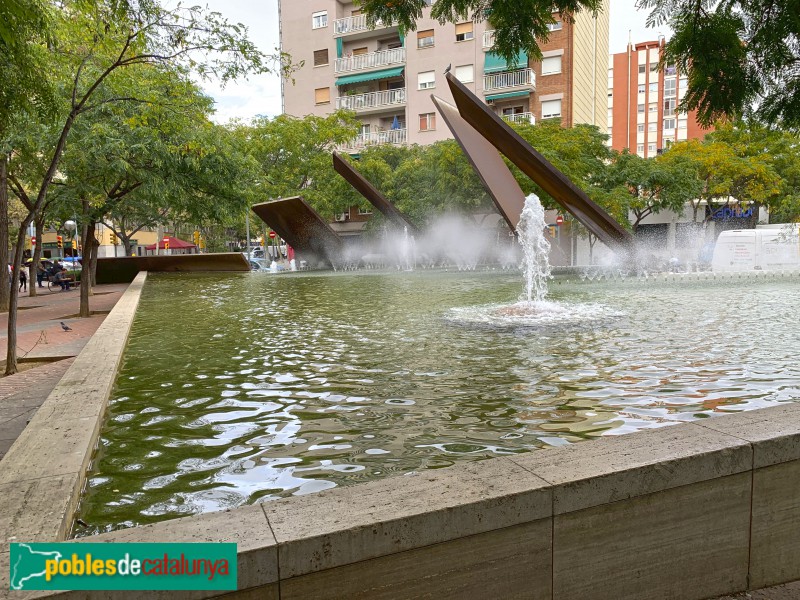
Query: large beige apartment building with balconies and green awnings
{"x": 387, "y": 78}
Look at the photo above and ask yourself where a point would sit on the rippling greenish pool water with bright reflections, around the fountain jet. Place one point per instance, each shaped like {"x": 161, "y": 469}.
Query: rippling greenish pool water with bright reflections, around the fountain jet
{"x": 243, "y": 388}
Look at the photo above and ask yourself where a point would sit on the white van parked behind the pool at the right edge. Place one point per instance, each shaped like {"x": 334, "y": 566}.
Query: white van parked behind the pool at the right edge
{"x": 767, "y": 248}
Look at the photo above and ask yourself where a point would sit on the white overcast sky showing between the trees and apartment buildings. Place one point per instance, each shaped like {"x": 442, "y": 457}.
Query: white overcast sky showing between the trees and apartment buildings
{"x": 262, "y": 95}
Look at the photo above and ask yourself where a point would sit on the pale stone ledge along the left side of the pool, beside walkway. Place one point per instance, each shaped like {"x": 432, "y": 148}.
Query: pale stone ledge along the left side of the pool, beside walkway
{"x": 42, "y": 474}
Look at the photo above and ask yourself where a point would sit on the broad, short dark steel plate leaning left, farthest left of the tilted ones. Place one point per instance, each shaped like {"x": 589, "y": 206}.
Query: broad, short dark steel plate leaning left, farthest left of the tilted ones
{"x": 303, "y": 229}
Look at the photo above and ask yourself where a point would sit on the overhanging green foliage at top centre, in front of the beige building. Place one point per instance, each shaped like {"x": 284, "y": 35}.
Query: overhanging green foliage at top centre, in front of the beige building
{"x": 518, "y": 24}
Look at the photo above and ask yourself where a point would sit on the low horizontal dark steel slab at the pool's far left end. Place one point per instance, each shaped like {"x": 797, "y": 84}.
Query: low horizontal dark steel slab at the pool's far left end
{"x": 123, "y": 269}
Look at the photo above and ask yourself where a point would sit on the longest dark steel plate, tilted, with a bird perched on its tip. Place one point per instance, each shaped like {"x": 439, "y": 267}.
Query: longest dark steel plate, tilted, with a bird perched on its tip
{"x": 536, "y": 166}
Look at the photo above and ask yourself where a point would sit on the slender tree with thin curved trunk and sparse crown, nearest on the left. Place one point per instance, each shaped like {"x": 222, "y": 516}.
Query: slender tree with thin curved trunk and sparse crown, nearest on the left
{"x": 96, "y": 47}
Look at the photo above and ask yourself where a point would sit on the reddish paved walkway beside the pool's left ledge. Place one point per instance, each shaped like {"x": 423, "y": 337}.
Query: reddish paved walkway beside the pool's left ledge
{"x": 41, "y": 339}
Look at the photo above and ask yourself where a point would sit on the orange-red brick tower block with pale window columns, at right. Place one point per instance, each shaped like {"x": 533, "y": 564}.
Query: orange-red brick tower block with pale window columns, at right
{"x": 642, "y": 101}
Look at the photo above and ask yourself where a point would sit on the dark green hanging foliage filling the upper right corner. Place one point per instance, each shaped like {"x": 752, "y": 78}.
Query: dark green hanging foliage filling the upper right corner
{"x": 740, "y": 56}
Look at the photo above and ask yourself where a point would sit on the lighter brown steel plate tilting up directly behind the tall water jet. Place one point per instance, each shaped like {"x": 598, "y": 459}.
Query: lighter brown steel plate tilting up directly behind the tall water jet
{"x": 488, "y": 164}
